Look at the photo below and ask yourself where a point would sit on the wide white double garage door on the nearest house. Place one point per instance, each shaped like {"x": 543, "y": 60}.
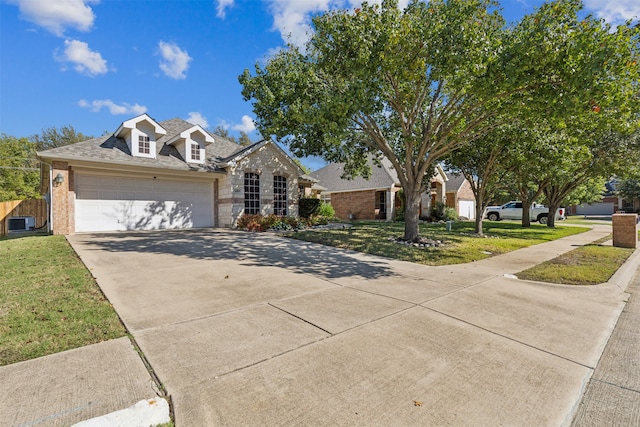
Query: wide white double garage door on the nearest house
{"x": 110, "y": 203}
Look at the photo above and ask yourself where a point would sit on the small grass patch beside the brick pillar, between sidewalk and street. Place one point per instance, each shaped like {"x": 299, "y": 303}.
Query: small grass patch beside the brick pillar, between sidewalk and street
{"x": 588, "y": 265}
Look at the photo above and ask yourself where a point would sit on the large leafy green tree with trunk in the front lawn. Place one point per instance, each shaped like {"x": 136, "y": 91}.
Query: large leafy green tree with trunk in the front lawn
{"x": 414, "y": 85}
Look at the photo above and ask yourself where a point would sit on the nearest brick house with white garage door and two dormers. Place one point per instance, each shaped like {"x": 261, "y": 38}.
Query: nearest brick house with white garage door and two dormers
{"x": 159, "y": 175}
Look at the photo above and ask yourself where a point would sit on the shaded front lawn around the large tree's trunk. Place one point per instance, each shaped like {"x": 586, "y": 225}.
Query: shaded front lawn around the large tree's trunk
{"x": 460, "y": 245}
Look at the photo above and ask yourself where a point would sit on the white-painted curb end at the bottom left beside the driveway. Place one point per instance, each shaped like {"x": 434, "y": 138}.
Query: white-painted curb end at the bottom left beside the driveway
{"x": 144, "y": 413}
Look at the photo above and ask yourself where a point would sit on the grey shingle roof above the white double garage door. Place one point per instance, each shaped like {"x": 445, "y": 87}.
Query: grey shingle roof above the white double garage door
{"x": 109, "y": 149}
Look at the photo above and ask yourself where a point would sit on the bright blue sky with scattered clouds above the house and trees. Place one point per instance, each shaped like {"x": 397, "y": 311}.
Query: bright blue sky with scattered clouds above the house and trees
{"x": 95, "y": 63}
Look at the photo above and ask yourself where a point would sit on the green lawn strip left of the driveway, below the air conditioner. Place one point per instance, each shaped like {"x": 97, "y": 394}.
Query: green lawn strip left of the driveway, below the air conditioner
{"x": 49, "y": 302}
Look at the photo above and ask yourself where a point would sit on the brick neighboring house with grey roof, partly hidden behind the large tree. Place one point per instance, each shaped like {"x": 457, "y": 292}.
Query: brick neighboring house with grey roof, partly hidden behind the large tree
{"x": 373, "y": 198}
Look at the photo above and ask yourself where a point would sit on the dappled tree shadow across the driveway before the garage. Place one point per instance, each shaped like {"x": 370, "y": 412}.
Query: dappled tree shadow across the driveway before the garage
{"x": 246, "y": 248}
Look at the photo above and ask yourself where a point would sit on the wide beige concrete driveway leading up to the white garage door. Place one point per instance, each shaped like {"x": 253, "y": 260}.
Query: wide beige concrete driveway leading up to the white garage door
{"x": 254, "y": 329}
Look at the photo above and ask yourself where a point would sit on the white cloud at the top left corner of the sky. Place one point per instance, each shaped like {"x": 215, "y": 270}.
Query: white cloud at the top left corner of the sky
{"x": 57, "y": 15}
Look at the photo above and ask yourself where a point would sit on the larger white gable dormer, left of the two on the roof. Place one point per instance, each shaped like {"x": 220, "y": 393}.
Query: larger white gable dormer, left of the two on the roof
{"x": 141, "y": 134}
